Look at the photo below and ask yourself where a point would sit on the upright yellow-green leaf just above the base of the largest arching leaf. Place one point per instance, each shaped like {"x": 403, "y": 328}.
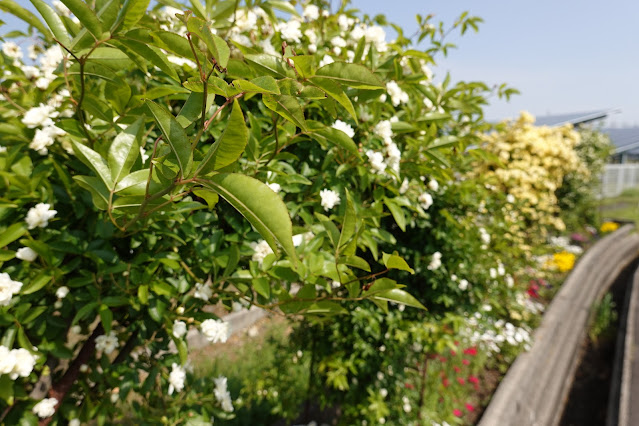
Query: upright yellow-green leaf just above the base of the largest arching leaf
{"x": 230, "y": 146}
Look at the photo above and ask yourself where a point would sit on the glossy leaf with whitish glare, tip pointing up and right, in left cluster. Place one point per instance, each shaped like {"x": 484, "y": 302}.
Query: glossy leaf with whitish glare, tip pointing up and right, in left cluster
{"x": 124, "y": 150}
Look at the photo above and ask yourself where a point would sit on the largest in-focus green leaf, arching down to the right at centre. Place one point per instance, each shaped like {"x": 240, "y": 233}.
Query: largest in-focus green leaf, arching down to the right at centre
{"x": 262, "y": 207}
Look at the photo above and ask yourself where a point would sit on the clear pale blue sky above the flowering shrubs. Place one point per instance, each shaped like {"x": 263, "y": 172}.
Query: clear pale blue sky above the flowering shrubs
{"x": 564, "y": 56}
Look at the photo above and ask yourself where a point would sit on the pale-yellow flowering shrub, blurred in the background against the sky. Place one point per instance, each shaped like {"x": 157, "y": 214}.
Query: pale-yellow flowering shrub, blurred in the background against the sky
{"x": 530, "y": 163}
